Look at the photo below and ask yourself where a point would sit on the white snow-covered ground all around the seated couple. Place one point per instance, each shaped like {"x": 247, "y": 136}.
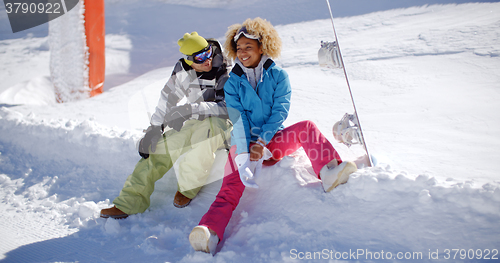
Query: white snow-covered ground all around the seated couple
{"x": 427, "y": 86}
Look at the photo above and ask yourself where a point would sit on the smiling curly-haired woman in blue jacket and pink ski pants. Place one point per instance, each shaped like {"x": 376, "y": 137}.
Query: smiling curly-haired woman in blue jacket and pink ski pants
{"x": 258, "y": 101}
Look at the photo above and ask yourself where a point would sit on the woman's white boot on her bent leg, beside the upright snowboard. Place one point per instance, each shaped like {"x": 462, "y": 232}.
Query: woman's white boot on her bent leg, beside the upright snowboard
{"x": 332, "y": 175}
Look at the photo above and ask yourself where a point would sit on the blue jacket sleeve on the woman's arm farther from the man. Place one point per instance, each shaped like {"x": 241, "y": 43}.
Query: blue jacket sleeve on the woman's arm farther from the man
{"x": 280, "y": 107}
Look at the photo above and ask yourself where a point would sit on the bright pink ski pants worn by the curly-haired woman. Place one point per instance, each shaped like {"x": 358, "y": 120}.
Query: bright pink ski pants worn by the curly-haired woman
{"x": 303, "y": 134}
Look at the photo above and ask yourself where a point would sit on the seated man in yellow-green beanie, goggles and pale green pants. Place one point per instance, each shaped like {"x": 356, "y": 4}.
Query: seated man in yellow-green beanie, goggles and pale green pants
{"x": 192, "y": 104}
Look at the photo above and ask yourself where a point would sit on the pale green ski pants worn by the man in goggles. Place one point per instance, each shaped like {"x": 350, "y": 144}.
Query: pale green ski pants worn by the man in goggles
{"x": 198, "y": 140}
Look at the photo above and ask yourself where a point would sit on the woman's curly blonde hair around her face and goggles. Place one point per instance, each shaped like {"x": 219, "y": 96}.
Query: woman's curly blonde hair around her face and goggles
{"x": 268, "y": 37}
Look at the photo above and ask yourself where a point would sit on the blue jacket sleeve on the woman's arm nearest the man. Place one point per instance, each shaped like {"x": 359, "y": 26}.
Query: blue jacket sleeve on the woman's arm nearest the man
{"x": 241, "y": 127}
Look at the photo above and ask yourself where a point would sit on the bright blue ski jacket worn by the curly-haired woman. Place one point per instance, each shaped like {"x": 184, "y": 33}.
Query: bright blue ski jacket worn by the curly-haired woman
{"x": 260, "y": 112}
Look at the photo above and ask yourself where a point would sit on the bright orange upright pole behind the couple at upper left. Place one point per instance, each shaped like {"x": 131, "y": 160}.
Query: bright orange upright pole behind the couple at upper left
{"x": 95, "y": 33}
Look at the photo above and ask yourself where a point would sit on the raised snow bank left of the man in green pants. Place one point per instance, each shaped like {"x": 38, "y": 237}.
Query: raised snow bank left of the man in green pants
{"x": 50, "y": 148}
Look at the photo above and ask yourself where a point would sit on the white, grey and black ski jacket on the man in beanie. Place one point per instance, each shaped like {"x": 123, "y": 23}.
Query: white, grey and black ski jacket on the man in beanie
{"x": 204, "y": 91}
